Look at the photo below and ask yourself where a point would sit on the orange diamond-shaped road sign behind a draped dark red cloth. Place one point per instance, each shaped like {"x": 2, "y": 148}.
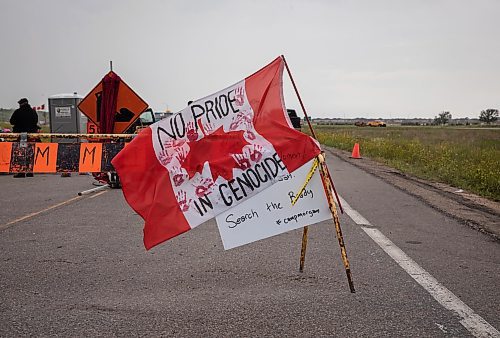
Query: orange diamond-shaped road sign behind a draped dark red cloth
{"x": 129, "y": 106}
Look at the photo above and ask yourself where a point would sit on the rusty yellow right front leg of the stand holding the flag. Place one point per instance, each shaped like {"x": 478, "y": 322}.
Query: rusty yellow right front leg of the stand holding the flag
{"x": 323, "y": 169}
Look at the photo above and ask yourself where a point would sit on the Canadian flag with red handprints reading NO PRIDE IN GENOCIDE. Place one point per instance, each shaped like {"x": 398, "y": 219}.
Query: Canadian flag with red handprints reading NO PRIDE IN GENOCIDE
{"x": 212, "y": 155}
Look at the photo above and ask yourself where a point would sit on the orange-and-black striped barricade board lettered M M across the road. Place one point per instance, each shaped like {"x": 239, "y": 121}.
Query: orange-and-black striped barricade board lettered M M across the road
{"x": 57, "y": 157}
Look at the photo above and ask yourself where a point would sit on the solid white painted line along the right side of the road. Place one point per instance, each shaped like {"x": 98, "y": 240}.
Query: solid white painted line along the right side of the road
{"x": 474, "y": 323}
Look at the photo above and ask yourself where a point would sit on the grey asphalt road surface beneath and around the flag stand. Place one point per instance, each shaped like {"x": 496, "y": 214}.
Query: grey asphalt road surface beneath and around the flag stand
{"x": 80, "y": 269}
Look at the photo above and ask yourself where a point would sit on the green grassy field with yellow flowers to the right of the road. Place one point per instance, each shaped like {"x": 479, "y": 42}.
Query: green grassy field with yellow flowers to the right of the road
{"x": 467, "y": 158}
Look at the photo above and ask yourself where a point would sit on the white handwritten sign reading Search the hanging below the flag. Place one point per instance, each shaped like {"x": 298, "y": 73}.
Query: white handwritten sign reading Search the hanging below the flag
{"x": 271, "y": 212}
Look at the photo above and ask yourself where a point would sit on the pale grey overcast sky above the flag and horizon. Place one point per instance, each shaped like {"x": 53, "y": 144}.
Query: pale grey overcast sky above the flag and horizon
{"x": 349, "y": 58}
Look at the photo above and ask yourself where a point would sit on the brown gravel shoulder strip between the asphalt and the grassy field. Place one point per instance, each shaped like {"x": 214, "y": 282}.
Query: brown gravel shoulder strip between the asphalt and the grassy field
{"x": 477, "y": 212}
